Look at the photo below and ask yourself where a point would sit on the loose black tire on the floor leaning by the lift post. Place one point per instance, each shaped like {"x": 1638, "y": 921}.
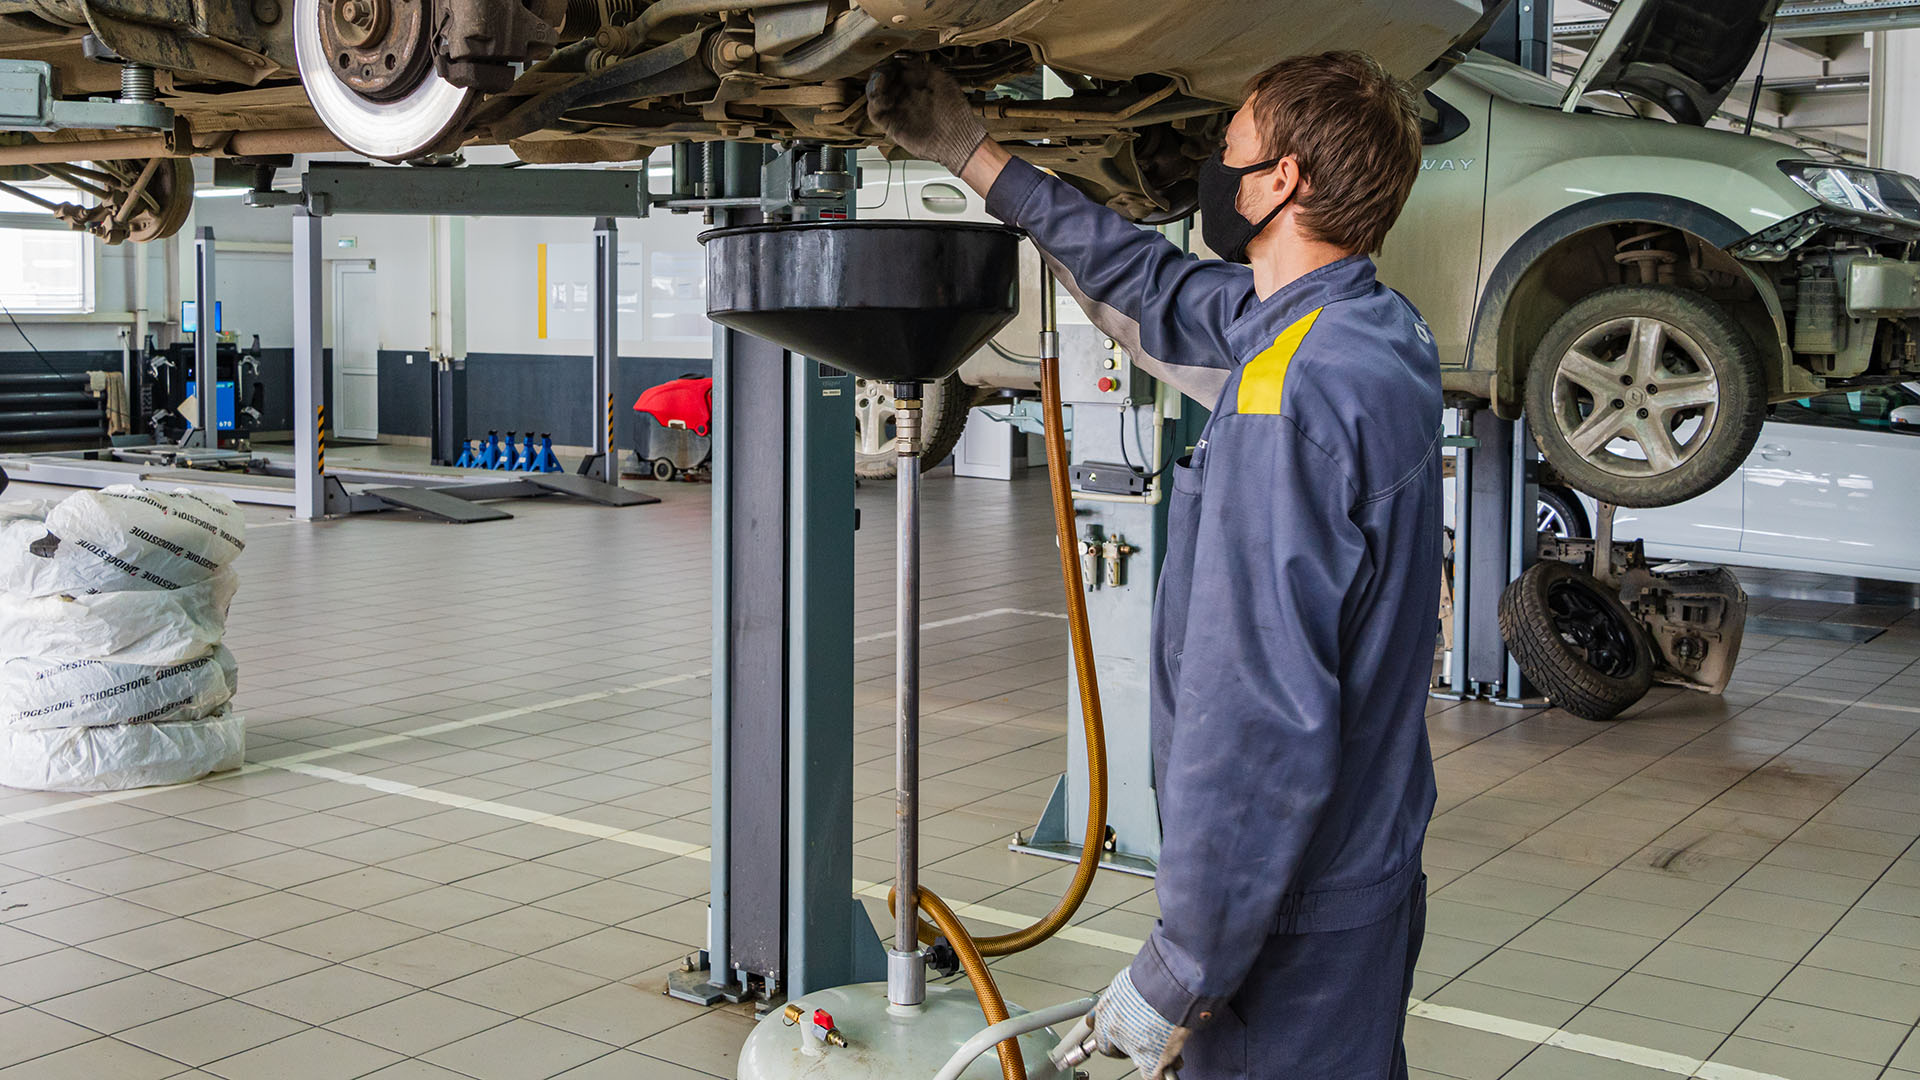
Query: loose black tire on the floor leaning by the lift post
{"x": 1575, "y": 641}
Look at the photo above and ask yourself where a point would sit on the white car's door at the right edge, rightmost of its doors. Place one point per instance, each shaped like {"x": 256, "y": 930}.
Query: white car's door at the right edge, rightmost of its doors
{"x": 1833, "y": 483}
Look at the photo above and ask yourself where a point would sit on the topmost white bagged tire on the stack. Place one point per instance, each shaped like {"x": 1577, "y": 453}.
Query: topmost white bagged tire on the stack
{"x": 137, "y": 539}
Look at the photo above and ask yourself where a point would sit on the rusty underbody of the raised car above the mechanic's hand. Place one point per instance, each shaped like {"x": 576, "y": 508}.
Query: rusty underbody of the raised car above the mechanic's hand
{"x": 1141, "y": 95}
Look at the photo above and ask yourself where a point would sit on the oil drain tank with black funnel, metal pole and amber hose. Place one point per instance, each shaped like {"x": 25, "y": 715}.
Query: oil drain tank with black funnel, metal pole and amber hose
{"x": 907, "y": 303}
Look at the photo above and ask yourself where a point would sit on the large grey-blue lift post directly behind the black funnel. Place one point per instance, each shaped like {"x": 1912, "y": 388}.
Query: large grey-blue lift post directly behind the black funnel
{"x": 782, "y": 916}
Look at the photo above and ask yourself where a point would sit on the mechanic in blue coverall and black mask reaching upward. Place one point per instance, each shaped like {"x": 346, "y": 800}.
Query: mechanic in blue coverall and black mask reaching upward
{"x": 1295, "y": 622}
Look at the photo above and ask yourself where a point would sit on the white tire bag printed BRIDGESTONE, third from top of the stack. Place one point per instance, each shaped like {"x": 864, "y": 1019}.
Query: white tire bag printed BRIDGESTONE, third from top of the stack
{"x": 89, "y": 693}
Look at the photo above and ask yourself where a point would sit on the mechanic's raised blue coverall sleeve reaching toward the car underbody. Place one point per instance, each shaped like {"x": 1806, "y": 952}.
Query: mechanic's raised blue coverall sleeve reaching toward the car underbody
{"x": 1134, "y": 283}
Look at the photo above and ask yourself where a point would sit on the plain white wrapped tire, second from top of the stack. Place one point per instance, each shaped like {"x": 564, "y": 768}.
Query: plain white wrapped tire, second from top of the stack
{"x": 124, "y": 627}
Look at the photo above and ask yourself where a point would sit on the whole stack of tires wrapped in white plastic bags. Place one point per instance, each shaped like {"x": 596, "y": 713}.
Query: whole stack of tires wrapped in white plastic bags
{"x": 112, "y": 612}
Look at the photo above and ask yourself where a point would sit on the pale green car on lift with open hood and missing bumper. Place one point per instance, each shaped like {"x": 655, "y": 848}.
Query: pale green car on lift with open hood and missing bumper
{"x": 1646, "y": 287}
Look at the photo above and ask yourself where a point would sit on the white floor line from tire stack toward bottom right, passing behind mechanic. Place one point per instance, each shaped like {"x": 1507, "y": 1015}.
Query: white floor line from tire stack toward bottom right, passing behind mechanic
{"x": 1120, "y": 945}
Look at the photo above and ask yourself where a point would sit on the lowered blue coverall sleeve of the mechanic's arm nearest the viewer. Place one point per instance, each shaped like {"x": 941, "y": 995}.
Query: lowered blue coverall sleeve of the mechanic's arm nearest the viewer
{"x": 1257, "y": 710}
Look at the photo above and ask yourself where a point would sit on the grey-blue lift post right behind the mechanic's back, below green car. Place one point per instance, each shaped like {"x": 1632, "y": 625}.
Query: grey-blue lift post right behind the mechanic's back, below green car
{"x": 1497, "y": 491}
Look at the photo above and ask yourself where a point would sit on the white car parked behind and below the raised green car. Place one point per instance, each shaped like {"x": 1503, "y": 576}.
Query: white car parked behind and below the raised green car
{"x": 1829, "y": 489}
